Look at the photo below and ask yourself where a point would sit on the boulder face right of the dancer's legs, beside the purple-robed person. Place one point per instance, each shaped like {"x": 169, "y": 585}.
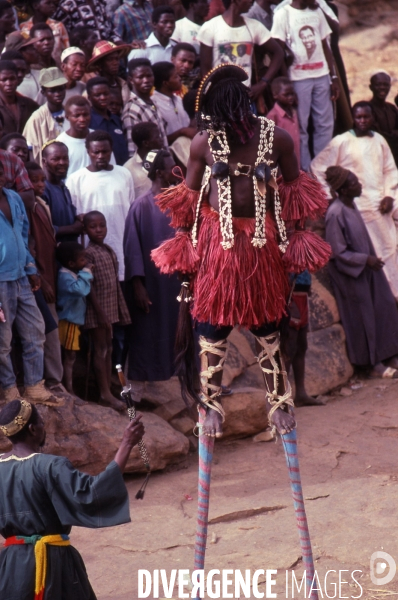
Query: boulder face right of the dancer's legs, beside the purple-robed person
{"x": 326, "y": 365}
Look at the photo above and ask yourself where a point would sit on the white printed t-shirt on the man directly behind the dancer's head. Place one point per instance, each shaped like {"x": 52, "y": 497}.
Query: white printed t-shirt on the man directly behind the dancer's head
{"x": 233, "y": 44}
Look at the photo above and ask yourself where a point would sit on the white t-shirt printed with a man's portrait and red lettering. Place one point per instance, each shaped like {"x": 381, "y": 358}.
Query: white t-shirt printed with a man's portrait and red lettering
{"x": 303, "y": 31}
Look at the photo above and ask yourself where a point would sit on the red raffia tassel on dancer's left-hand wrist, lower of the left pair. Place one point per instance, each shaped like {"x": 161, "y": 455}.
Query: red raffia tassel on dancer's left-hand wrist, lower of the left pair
{"x": 177, "y": 254}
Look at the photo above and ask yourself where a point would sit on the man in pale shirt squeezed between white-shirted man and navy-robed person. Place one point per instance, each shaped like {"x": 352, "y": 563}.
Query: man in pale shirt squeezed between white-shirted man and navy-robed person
{"x": 146, "y": 137}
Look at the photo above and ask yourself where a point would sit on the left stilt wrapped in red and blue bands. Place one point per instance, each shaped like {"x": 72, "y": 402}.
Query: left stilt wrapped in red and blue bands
{"x": 206, "y": 447}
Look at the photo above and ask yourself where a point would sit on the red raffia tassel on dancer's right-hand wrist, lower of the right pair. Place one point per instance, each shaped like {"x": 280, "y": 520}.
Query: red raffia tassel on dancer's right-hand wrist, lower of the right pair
{"x": 306, "y": 250}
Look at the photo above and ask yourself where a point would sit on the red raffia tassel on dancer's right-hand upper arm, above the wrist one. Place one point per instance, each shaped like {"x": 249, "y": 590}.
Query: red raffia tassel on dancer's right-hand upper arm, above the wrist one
{"x": 302, "y": 198}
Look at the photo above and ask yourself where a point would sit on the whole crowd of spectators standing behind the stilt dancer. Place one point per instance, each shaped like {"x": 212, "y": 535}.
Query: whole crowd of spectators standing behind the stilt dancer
{"x": 97, "y": 109}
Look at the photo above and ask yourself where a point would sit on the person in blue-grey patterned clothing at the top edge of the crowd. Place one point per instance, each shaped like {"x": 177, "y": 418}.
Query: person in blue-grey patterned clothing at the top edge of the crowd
{"x": 132, "y": 20}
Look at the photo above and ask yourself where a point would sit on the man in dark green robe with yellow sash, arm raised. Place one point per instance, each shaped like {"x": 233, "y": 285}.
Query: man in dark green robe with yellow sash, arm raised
{"x": 41, "y": 498}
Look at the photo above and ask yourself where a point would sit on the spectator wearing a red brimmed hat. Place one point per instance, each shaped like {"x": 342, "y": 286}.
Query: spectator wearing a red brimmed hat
{"x": 105, "y": 61}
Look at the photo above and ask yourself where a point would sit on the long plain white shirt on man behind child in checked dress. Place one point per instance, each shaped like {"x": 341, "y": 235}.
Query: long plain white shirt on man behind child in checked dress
{"x": 110, "y": 192}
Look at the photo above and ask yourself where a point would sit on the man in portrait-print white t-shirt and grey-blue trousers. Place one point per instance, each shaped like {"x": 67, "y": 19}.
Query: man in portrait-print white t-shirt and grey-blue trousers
{"x": 303, "y": 27}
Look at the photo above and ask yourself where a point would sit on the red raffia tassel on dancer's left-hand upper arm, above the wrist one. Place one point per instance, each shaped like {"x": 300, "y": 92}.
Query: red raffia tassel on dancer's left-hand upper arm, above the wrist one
{"x": 181, "y": 203}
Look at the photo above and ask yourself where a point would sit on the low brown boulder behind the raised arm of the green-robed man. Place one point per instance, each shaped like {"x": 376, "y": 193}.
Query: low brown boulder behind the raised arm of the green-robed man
{"x": 89, "y": 435}
